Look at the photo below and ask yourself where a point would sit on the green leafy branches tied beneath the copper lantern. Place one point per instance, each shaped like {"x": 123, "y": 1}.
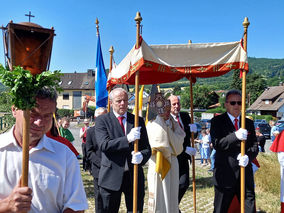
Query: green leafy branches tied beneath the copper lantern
{"x": 24, "y": 86}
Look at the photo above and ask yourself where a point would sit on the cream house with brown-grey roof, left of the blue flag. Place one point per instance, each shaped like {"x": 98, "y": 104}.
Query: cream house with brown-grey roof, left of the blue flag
{"x": 75, "y": 88}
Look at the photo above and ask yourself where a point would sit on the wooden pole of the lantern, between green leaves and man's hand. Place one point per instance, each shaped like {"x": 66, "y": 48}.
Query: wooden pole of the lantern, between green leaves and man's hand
{"x": 25, "y": 147}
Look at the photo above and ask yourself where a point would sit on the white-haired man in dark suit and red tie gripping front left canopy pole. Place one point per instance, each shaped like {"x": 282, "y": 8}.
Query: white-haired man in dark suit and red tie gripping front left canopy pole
{"x": 115, "y": 134}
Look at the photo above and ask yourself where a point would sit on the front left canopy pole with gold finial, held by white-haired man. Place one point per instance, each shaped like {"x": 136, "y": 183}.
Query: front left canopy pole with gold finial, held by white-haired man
{"x": 138, "y": 20}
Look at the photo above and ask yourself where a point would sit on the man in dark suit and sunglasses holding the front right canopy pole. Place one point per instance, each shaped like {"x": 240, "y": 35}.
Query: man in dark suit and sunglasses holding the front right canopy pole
{"x": 226, "y": 136}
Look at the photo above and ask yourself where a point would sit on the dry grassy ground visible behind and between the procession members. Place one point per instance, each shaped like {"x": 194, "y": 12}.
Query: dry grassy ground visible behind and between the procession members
{"x": 267, "y": 181}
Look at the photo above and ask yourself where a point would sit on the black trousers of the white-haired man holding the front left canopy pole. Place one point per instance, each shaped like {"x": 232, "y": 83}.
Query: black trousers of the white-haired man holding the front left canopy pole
{"x": 111, "y": 199}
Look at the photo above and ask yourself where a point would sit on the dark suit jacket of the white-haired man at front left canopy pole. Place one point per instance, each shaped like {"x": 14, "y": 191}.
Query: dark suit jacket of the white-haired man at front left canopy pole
{"x": 116, "y": 150}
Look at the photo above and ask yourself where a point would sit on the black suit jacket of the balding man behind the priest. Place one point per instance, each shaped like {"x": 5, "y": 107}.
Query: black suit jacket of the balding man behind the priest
{"x": 185, "y": 120}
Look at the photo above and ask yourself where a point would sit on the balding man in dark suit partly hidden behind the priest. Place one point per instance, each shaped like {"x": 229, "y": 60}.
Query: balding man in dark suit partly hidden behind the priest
{"x": 185, "y": 123}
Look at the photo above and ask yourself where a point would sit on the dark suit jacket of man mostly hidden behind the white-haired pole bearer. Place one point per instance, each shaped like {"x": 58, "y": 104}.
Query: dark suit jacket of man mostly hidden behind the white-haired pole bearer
{"x": 93, "y": 152}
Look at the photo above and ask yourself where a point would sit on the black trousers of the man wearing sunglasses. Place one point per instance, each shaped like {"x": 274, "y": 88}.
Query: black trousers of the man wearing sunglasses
{"x": 224, "y": 197}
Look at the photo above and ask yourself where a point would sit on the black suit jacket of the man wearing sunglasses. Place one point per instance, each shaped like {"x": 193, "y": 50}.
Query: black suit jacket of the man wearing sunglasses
{"x": 227, "y": 146}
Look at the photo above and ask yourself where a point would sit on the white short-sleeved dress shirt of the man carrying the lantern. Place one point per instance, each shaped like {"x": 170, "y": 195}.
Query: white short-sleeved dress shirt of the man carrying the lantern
{"x": 54, "y": 174}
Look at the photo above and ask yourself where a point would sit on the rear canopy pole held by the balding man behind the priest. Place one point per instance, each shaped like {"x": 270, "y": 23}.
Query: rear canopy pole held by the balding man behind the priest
{"x": 192, "y": 142}
